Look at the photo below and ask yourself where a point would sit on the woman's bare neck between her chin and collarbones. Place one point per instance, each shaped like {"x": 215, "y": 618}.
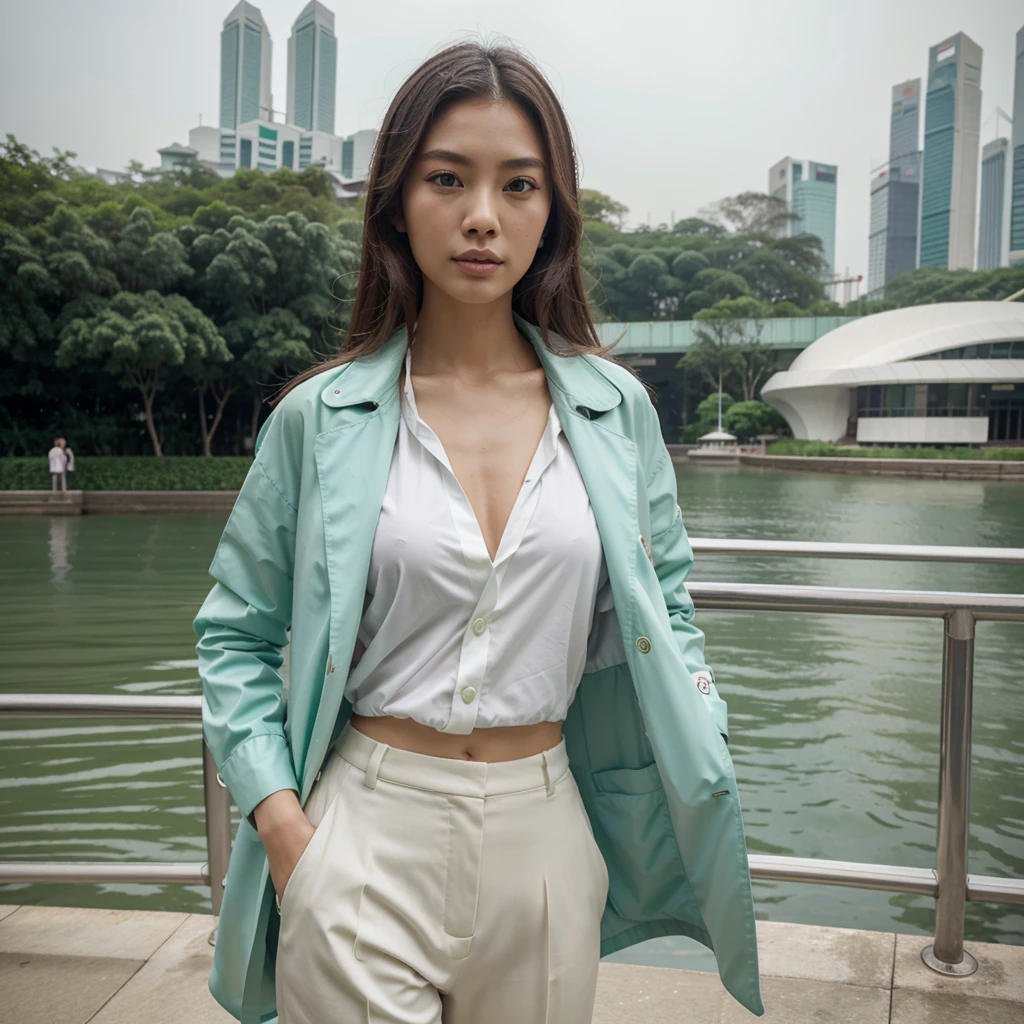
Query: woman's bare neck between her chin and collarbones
{"x": 470, "y": 342}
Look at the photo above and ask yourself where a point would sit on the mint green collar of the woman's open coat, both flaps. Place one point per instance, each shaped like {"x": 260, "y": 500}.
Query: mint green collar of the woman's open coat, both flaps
{"x": 577, "y": 380}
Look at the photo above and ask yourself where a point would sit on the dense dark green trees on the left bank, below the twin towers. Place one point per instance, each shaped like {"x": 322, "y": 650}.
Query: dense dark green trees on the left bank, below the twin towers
{"x": 156, "y": 316}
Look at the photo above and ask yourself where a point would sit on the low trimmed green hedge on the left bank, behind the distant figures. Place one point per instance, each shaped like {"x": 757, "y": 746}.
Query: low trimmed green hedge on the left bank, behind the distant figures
{"x": 131, "y": 474}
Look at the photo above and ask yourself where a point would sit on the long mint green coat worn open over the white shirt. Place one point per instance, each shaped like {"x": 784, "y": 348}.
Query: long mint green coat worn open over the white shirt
{"x": 646, "y": 743}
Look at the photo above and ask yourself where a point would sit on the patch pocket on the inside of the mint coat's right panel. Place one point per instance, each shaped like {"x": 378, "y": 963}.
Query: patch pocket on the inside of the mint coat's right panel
{"x": 647, "y": 878}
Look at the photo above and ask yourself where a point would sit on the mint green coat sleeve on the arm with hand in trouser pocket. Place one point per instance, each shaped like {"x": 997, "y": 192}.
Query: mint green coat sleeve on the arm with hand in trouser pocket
{"x": 243, "y": 627}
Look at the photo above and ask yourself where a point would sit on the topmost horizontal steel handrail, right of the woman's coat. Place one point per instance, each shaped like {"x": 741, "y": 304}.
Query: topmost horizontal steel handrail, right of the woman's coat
{"x": 885, "y": 552}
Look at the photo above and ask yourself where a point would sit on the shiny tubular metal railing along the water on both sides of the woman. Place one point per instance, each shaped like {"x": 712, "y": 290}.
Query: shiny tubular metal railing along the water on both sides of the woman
{"x": 949, "y": 883}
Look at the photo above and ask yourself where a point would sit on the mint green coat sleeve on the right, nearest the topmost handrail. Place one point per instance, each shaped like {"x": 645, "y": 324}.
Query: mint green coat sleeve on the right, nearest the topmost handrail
{"x": 673, "y": 561}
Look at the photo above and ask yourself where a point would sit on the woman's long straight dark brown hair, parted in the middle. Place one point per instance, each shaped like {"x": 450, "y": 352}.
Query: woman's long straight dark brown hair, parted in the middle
{"x": 391, "y": 285}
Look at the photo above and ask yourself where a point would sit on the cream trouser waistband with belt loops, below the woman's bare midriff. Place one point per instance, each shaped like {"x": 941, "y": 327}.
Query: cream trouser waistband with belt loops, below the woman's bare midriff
{"x": 451, "y": 776}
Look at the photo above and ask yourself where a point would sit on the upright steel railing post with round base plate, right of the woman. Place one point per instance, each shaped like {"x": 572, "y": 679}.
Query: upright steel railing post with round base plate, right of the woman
{"x": 947, "y": 955}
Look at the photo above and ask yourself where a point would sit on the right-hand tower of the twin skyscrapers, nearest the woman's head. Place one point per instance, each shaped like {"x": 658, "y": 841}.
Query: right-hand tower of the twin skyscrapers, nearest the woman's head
{"x": 313, "y": 67}
